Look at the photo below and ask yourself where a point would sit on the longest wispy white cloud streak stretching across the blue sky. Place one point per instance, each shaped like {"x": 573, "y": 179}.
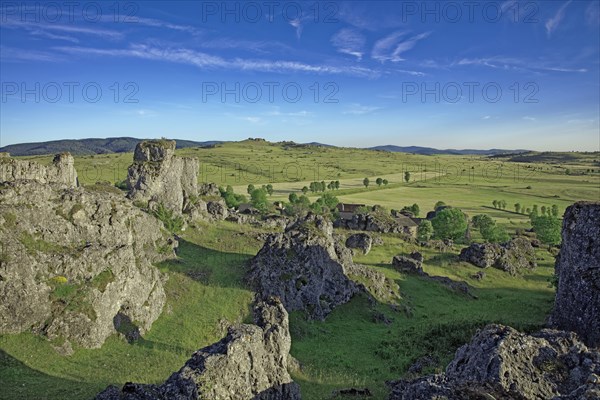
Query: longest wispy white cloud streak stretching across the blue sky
{"x": 208, "y": 61}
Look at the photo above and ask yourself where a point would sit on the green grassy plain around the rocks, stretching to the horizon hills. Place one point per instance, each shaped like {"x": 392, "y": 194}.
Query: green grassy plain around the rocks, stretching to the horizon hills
{"x": 206, "y": 291}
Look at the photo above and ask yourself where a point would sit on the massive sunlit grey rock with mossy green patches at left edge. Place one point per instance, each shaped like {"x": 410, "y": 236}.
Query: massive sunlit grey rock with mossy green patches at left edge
{"x": 73, "y": 258}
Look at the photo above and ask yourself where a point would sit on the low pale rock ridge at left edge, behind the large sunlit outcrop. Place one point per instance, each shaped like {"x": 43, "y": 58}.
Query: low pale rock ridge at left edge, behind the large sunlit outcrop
{"x": 60, "y": 171}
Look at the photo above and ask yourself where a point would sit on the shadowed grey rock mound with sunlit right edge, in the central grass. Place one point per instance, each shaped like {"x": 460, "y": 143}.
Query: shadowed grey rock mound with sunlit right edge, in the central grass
{"x": 309, "y": 270}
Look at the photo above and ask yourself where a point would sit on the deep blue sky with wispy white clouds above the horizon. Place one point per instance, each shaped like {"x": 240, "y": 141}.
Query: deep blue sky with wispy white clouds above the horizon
{"x": 481, "y": 74}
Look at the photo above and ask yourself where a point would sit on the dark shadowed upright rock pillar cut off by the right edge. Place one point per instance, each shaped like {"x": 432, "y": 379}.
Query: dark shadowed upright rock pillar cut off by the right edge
{"x": 577, "y": 305}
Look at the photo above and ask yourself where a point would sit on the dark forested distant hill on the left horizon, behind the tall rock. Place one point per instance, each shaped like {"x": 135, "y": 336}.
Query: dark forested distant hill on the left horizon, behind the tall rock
{"x": 88, "y": 146}
